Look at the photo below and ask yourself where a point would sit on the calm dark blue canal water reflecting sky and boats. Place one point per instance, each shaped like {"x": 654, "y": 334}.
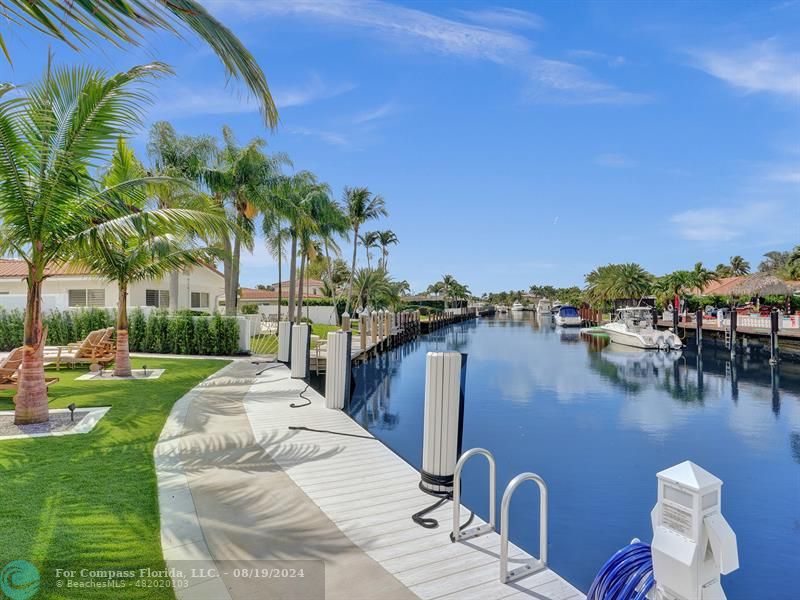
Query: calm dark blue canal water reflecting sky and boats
{"x": 597, "y": 422}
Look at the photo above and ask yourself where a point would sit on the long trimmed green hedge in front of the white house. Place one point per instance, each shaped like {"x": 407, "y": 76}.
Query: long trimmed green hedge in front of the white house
{"x": 159, "y": 332}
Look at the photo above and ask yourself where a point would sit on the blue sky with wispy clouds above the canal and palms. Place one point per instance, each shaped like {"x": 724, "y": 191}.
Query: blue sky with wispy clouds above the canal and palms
{"x": 514, "y": 142}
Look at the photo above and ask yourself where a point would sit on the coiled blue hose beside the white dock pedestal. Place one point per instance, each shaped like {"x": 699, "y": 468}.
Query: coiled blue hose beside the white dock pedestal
{"x": 628, "y": 575}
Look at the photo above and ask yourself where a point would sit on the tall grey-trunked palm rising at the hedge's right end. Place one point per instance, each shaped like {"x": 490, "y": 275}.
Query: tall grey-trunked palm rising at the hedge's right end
{"x": 241, "y": 181}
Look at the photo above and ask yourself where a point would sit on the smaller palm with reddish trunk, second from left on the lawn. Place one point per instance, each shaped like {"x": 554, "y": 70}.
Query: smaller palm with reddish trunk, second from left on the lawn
{"x": 161, "y": 246}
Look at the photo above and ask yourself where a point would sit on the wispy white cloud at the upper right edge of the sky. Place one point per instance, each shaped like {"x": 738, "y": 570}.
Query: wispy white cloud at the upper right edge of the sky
{"x": 762, "y": 67}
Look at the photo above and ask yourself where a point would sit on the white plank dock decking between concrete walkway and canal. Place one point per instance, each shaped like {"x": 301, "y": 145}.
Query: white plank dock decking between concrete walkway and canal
{"x": 369, "y": 493}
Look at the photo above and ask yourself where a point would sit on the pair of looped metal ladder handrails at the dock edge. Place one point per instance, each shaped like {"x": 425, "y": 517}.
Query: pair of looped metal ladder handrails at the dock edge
{"x": 529, "y": 567}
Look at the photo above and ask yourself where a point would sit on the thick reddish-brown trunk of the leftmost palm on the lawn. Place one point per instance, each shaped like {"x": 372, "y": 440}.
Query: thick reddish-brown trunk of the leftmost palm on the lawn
{"x": 31, "y": 399}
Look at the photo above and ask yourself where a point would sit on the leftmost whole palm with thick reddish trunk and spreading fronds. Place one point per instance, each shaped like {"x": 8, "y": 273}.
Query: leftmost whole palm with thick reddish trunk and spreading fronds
{"x": 48, "y": 138}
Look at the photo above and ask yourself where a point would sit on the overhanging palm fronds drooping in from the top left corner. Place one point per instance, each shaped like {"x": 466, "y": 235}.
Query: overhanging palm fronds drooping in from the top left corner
{"x": 123, "y": 21}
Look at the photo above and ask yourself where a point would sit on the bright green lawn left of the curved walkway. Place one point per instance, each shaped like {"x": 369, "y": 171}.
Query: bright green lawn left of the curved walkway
{"x": 89, "y": 501}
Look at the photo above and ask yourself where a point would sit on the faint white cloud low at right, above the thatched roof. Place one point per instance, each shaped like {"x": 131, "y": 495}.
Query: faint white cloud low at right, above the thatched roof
{"x": 722, "y": 224}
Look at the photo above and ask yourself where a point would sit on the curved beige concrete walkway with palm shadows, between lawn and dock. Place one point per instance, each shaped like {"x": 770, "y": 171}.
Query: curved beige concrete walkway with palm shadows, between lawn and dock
{"x": 227, "y": 506}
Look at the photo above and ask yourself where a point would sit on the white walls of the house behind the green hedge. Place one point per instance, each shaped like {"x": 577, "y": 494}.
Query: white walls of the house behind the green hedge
{"x": 73, "y": 286}
